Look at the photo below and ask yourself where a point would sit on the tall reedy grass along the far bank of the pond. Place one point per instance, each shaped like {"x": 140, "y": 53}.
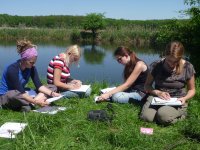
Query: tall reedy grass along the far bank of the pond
{"x": 137, "y": 36}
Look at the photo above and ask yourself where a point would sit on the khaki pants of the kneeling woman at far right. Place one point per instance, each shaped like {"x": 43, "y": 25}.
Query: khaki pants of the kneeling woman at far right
{"x": 162, "y": 114}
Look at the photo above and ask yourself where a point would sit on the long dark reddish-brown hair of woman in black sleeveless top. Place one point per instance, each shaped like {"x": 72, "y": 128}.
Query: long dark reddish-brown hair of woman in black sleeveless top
{"x": 123, "y": 51}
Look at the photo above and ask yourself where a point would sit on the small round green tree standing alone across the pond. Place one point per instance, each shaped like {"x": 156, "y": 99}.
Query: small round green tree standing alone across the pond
{"x": 94, "y": 22}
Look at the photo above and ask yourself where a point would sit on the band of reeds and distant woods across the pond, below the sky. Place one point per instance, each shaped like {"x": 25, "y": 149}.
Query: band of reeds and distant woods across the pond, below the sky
{"x": 136, "y": 33}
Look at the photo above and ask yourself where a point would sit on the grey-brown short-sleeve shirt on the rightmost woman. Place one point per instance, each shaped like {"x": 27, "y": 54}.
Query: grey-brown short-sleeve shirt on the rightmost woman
{"x": 171, "y": 82}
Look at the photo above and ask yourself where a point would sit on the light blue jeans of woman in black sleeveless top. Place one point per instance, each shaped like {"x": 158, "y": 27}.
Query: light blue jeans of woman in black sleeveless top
{"x": 126, "y": 97}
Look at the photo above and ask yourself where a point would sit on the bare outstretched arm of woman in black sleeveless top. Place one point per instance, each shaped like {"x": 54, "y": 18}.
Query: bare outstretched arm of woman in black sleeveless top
{"x": 140, "y": 67}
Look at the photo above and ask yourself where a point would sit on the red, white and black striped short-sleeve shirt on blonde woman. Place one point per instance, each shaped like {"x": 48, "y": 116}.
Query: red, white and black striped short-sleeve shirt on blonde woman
{"x": 58, "y": 62}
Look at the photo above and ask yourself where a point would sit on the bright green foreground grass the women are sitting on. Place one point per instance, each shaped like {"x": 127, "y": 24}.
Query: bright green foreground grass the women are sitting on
{"x": 70, "y": 129}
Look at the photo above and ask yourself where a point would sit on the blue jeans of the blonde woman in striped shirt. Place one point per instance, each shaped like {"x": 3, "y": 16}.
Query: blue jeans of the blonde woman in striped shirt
{"x": 72, "y": 94}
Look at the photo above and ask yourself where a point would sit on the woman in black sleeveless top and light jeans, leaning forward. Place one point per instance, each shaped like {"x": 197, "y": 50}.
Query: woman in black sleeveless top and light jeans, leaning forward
{"x": 135, "y": 73}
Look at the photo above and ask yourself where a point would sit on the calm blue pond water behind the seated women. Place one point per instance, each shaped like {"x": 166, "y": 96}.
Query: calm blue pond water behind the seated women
{"x": 97, "y": 63}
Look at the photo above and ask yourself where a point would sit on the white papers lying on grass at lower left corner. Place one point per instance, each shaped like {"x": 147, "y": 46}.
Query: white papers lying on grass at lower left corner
{"x": 10, "y": 129}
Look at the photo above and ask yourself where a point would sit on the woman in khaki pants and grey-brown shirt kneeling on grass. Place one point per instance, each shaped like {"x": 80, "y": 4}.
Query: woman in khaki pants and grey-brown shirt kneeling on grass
{"x": 171, "y": 74}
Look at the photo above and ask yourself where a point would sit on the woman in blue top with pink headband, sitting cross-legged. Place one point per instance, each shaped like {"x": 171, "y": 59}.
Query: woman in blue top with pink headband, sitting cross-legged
{"x": 13, "y": 93}
